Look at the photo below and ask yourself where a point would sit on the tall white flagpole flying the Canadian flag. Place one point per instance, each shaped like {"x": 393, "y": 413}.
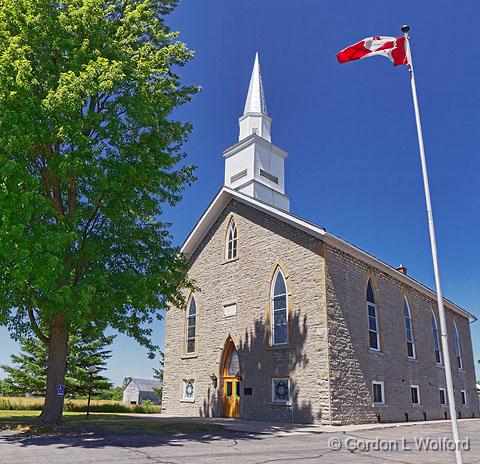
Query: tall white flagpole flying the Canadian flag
{"x": 433, "y": 244}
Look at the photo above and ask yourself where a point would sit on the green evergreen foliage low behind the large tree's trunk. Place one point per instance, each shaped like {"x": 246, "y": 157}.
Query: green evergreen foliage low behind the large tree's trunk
{"x": 27, "y": 374}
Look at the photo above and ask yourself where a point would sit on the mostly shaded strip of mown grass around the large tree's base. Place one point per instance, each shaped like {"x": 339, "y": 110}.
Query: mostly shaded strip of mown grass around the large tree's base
{"x": 75, "y": 422}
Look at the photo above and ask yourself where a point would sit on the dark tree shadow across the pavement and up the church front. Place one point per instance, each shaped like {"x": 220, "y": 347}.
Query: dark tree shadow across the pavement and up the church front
{"x": 252, "y": 347}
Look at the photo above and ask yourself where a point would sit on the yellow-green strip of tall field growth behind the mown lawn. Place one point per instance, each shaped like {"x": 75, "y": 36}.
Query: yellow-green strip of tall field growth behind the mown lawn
{"x": 36, "y": 404}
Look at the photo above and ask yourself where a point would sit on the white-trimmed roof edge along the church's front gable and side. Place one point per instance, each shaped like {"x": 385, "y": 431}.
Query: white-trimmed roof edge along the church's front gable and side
{"x": 225, "y": 195}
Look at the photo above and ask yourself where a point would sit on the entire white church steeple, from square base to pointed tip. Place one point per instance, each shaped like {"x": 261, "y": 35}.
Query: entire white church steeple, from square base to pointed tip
{"x": 254, "y": 165}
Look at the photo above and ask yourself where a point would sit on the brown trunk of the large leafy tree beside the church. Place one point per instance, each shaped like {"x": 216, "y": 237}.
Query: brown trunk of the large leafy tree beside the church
{"x": 57, "y": 357}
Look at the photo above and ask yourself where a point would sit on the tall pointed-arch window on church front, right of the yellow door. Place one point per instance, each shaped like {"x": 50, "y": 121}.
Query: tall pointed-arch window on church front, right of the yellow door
{"x": 279, "y": 309}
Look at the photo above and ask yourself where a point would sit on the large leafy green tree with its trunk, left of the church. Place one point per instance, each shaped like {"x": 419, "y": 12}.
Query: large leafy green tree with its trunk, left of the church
{"x": 89, "y": 157}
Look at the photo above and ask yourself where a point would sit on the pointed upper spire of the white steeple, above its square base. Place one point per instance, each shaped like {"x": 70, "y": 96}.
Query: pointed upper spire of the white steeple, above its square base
{"x": 255, "y": 119}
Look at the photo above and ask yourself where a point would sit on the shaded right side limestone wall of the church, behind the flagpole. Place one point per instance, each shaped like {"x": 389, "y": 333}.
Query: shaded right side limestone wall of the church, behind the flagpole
{"x": 354, "y": 366}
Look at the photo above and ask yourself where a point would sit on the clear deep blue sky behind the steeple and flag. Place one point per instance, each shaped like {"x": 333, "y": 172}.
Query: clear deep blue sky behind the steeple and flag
{"x": 350, "y": 130}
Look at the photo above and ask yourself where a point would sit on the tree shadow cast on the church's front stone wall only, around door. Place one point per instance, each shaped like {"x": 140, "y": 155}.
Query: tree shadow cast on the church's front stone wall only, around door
{"x": 259, "y": 363}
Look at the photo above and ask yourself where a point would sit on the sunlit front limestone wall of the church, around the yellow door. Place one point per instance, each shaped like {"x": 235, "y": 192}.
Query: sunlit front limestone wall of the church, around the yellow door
{"x": 264, "y": 243}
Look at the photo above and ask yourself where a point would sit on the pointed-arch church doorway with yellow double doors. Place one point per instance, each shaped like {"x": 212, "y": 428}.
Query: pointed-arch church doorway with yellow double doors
{"x": 231, "y": 382}
